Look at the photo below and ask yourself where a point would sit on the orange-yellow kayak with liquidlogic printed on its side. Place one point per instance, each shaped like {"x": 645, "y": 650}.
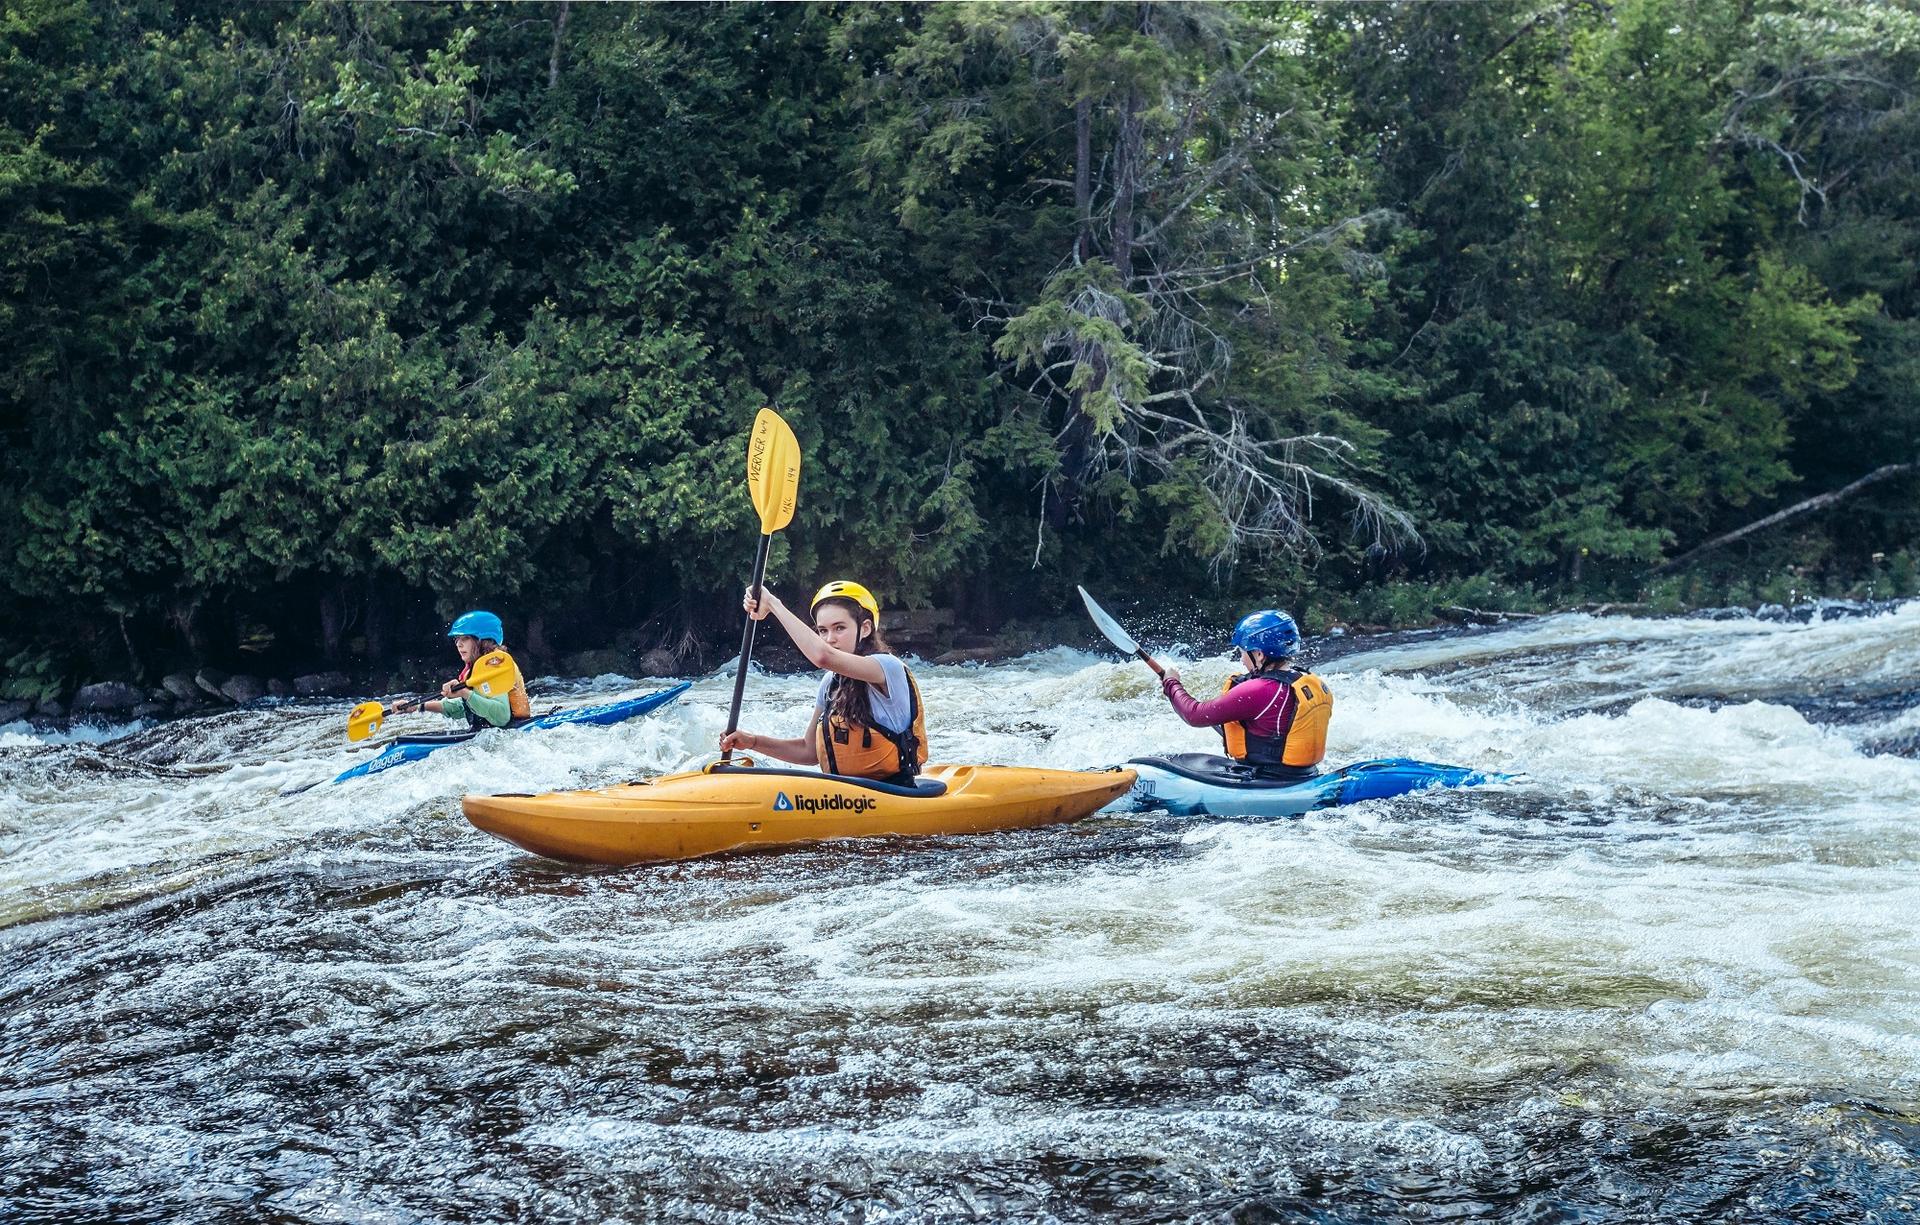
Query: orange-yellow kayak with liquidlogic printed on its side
{"x": 744, "y": 805}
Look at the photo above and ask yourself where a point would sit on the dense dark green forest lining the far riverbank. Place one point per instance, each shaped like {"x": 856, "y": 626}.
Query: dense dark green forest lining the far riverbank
{"x": 325, "y": 322}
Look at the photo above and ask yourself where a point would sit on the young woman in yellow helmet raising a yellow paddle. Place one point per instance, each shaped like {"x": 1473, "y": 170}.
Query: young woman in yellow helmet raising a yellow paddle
{"x": 869, "y": 721}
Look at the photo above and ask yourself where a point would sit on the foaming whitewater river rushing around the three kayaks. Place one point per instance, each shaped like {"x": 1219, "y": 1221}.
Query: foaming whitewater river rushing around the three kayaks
{"x": 1673, "y": 974}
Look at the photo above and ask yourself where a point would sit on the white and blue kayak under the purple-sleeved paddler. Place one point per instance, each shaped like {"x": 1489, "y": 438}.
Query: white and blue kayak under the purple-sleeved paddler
{"x": 1203, "y": 784}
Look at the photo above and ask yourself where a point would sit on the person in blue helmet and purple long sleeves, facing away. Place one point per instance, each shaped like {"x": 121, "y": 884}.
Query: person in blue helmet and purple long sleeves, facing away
{"x": 1274, "y": 717}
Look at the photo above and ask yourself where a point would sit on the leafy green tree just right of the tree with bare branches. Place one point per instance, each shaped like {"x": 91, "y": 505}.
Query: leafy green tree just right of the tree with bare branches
{"x": 1610, "y": 337}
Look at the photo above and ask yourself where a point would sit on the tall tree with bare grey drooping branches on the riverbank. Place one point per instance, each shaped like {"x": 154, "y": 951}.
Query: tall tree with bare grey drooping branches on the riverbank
{"x": 1122, "y": 197}
